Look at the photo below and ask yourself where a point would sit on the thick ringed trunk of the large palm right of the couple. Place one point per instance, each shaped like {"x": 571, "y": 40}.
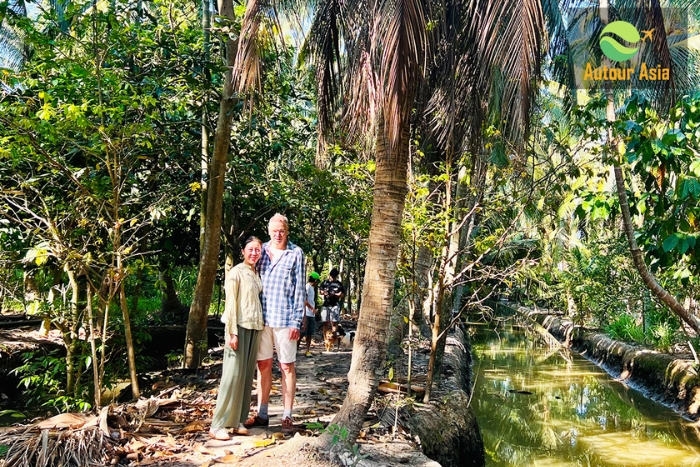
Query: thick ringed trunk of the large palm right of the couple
{"x": 369, "y": 351}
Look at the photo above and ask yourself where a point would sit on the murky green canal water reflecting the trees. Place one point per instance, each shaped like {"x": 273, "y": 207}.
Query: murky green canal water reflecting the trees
{"x": 576, "y": 414}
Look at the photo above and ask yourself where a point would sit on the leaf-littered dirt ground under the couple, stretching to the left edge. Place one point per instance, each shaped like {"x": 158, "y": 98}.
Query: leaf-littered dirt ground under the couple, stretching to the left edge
{"x": 169, "y": 425}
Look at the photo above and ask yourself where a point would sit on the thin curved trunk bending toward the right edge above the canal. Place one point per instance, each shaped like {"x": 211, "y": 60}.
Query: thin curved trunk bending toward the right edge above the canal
{"x": 637, "y": 257}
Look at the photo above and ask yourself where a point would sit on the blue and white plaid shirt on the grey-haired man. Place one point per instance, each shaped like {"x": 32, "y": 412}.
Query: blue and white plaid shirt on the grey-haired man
{"x": 284, "y": 287}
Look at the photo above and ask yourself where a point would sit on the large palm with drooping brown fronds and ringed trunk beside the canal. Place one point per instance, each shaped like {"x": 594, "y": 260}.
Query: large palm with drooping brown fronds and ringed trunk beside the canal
{"x": 388, "y": 59}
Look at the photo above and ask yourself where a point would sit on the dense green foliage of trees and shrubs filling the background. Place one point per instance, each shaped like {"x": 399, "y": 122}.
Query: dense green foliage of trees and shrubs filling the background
{"x": 103, "y": 174}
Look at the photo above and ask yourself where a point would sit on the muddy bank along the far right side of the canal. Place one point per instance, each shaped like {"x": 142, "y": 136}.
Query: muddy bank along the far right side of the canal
{"x": 664, "y": 378}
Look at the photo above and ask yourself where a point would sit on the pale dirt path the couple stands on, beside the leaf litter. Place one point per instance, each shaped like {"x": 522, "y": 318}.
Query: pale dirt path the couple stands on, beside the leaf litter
{"x": 321, "y": 386}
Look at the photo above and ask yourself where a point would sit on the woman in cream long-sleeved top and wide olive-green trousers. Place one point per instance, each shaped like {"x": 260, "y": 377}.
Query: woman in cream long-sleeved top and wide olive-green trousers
{"x": 243, "y": 319}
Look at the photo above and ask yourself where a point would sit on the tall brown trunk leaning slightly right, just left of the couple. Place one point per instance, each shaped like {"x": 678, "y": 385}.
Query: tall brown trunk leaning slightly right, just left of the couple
{"x": 196, "y": 340}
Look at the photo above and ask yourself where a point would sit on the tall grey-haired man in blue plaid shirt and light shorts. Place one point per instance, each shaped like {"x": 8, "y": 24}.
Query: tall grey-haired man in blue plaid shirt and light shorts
{"x": 282, "y": 270}
